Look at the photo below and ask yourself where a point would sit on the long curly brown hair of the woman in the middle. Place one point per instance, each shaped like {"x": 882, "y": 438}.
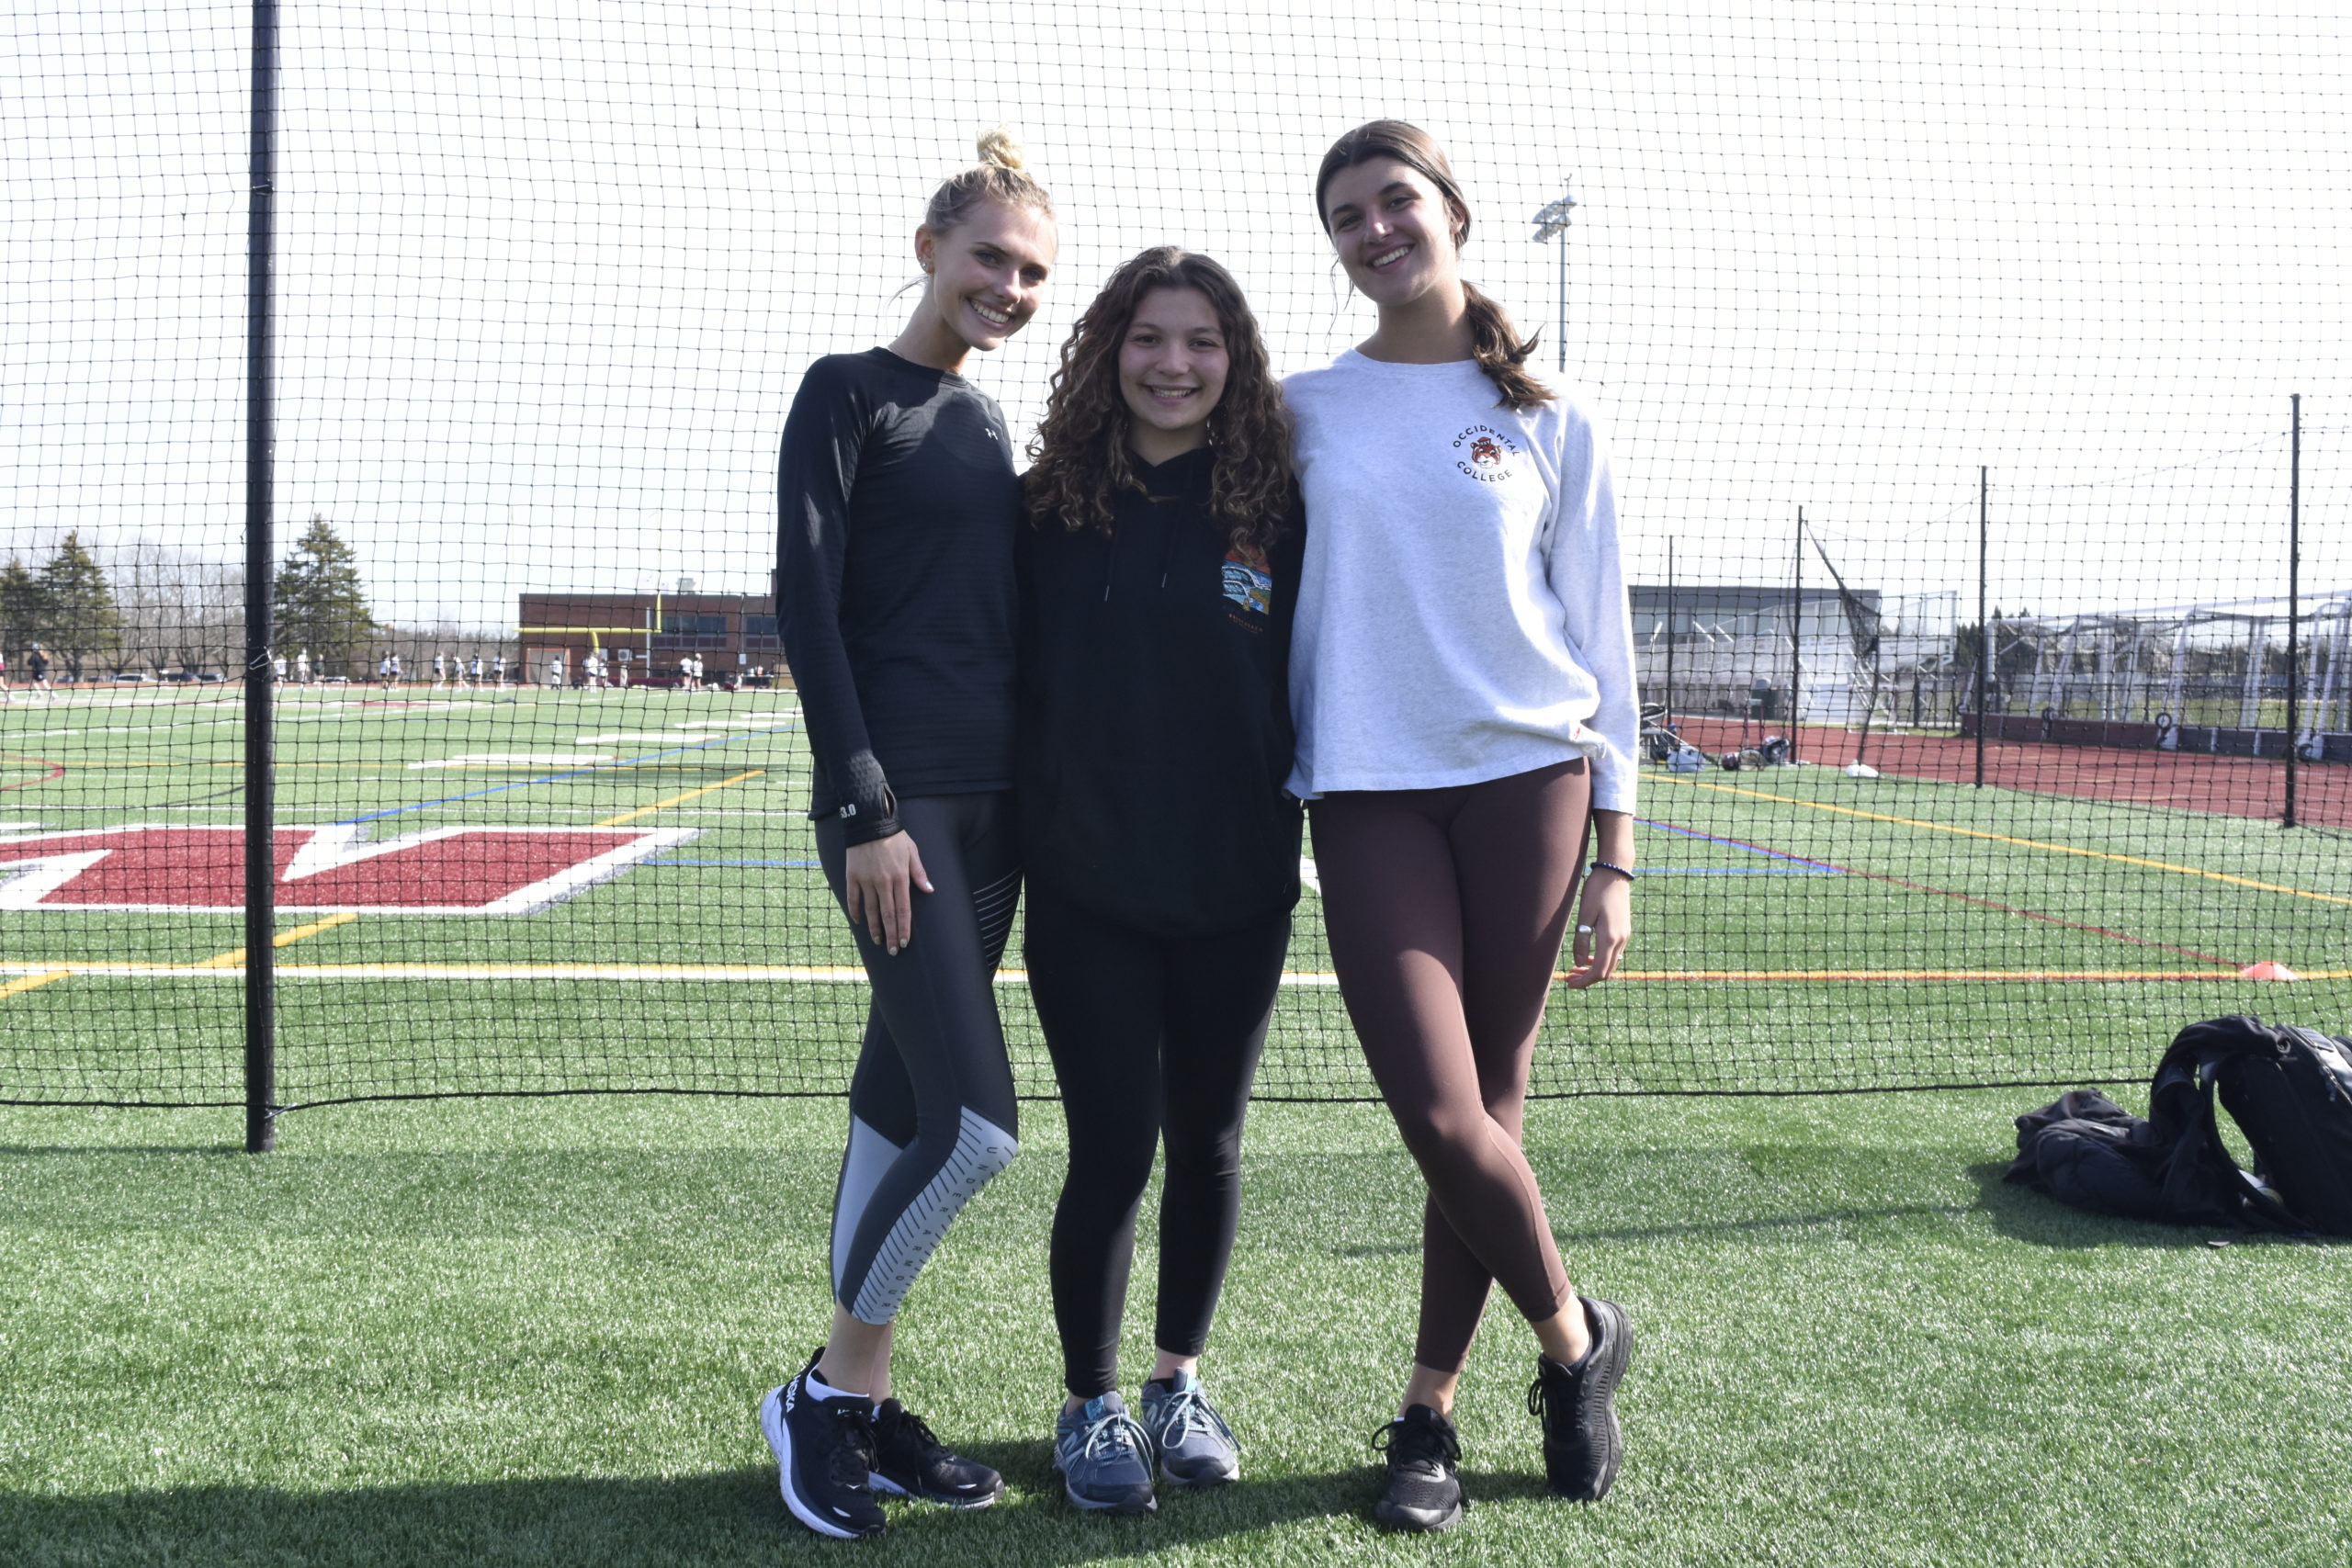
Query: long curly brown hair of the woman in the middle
{"x": 1081, "y": 457}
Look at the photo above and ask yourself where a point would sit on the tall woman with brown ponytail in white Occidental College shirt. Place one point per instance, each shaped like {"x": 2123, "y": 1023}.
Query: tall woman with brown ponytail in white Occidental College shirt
{"x": 1464, "y": 692}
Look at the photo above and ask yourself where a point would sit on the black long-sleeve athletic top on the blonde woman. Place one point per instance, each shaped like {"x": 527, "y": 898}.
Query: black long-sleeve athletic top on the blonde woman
{"x": 895, "y": 584}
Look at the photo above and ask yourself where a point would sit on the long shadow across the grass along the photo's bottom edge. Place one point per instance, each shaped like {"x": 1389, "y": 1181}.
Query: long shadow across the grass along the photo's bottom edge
{"x": 584, "y": 1522}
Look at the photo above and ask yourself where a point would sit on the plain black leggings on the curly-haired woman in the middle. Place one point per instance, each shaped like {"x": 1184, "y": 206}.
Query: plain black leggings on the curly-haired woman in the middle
{"x": 1149, "y": 1036}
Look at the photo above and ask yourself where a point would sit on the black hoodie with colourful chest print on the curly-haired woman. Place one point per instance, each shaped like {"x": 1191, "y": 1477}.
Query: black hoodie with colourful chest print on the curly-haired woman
{"x": 1156, "y": 718}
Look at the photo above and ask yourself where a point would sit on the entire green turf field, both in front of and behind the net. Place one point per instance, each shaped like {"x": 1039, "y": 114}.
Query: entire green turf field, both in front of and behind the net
{"x": 535, "y": 1329}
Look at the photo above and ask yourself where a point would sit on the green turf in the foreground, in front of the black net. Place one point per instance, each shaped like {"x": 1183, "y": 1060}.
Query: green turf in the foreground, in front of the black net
{"x": 535, "y": 1332}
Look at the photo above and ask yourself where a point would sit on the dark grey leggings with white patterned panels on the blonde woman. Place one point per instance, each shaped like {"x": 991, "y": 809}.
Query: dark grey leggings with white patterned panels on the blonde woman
{"x": 933, "y": 1101}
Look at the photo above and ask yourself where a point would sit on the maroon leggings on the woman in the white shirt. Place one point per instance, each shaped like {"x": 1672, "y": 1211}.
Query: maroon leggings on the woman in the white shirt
{"x": 1445, "y": 913}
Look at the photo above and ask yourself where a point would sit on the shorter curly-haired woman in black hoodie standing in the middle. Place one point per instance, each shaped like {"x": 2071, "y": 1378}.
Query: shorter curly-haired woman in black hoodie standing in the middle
{"x": 1163, "y": 857}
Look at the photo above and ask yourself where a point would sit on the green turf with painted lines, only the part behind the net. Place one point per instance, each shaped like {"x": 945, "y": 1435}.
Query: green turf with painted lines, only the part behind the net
{"x": 1930, "y": 880}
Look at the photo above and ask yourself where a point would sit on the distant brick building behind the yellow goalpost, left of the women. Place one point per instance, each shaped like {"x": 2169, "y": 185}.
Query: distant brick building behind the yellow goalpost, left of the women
{"x": 648, "y": 634}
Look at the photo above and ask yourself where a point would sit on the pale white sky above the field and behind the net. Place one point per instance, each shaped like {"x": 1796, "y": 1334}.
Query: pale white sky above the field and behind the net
{"x": 549, "y": 281}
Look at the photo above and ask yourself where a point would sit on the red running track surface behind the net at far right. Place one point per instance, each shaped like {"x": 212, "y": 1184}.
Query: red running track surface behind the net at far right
{"x": 2191, "y": 782}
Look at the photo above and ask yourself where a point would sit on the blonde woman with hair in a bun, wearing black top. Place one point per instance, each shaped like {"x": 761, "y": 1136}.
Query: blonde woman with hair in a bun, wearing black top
{"x": 900, "y": 507}
